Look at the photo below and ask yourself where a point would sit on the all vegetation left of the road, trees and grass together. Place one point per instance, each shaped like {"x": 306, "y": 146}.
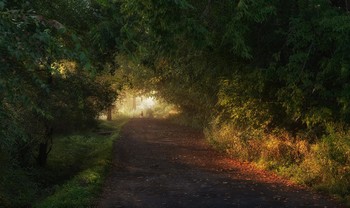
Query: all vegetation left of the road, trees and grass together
{"x": 52, "y": 91}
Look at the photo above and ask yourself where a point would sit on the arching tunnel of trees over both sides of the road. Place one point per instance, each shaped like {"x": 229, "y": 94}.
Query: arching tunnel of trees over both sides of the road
{"x": 256, "y": 69}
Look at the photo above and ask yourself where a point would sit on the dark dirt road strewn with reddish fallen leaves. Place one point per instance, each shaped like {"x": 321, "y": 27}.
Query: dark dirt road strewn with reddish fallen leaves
{"x": 158, "y": 164}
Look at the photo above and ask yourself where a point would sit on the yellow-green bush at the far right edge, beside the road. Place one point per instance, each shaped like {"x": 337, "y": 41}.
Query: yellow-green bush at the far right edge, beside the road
{"x": 327, "y": 165}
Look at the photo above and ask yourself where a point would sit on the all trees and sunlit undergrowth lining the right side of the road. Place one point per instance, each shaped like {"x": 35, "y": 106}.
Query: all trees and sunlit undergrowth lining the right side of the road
{"x": 267, "y": 79}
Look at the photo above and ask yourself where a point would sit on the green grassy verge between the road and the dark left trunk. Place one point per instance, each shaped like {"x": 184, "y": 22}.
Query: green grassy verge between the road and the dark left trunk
{"x": 83, "y": 159}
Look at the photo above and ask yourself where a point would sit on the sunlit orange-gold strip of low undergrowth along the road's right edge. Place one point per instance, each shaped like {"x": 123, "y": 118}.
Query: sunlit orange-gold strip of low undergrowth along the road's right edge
{"x": 323, "y": 164}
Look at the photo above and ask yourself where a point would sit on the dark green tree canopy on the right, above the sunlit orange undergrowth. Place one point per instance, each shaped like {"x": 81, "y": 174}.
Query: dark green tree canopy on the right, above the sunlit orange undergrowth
{"x": 267, "y": 63}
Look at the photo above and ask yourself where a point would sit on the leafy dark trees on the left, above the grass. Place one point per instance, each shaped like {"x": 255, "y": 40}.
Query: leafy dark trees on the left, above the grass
{"x": 46, "y": 82}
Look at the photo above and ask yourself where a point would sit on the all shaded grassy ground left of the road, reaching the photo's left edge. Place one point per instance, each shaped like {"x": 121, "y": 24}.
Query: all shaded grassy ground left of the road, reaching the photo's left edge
{"x": 74, "y": 175}
